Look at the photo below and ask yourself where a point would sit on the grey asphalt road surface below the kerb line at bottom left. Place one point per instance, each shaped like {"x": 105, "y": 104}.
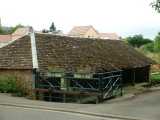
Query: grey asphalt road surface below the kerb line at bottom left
{"x": 18, "y": 113}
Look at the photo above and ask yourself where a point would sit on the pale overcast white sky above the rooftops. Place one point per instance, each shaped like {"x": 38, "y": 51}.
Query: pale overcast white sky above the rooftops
{"x": 125, "y": 17}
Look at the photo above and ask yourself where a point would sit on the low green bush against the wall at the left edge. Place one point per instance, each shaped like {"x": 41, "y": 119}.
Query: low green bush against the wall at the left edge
{"x": 8, "y": 85}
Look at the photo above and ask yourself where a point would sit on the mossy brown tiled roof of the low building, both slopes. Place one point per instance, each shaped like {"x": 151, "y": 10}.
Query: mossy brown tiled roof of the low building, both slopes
{"x": 71, "y": 54}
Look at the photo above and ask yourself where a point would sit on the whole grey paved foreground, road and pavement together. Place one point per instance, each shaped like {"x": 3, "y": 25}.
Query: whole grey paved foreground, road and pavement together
{"x": 144, "y": 107}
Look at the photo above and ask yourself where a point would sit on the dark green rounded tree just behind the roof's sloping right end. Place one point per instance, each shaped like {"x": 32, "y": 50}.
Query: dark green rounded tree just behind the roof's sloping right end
{"x": 137, "y": 41}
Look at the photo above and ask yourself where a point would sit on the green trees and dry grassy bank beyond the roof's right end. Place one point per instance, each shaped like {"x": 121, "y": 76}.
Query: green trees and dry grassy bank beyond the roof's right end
{"x": 149, "y": 48}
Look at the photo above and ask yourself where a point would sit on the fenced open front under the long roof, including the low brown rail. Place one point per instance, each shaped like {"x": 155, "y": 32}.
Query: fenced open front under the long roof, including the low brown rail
{"x": 82, "y": 87}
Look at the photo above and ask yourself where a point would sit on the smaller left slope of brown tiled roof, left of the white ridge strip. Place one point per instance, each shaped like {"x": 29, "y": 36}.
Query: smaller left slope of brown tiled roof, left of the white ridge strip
{"x": 16, "y": 55}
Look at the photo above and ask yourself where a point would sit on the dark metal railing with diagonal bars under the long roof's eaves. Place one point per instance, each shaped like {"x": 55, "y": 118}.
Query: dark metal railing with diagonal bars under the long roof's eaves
{"x": 104, "y": 85}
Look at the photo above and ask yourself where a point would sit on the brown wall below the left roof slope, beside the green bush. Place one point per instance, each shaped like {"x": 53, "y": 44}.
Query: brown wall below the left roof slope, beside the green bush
{"x": 24, "y": 79}
